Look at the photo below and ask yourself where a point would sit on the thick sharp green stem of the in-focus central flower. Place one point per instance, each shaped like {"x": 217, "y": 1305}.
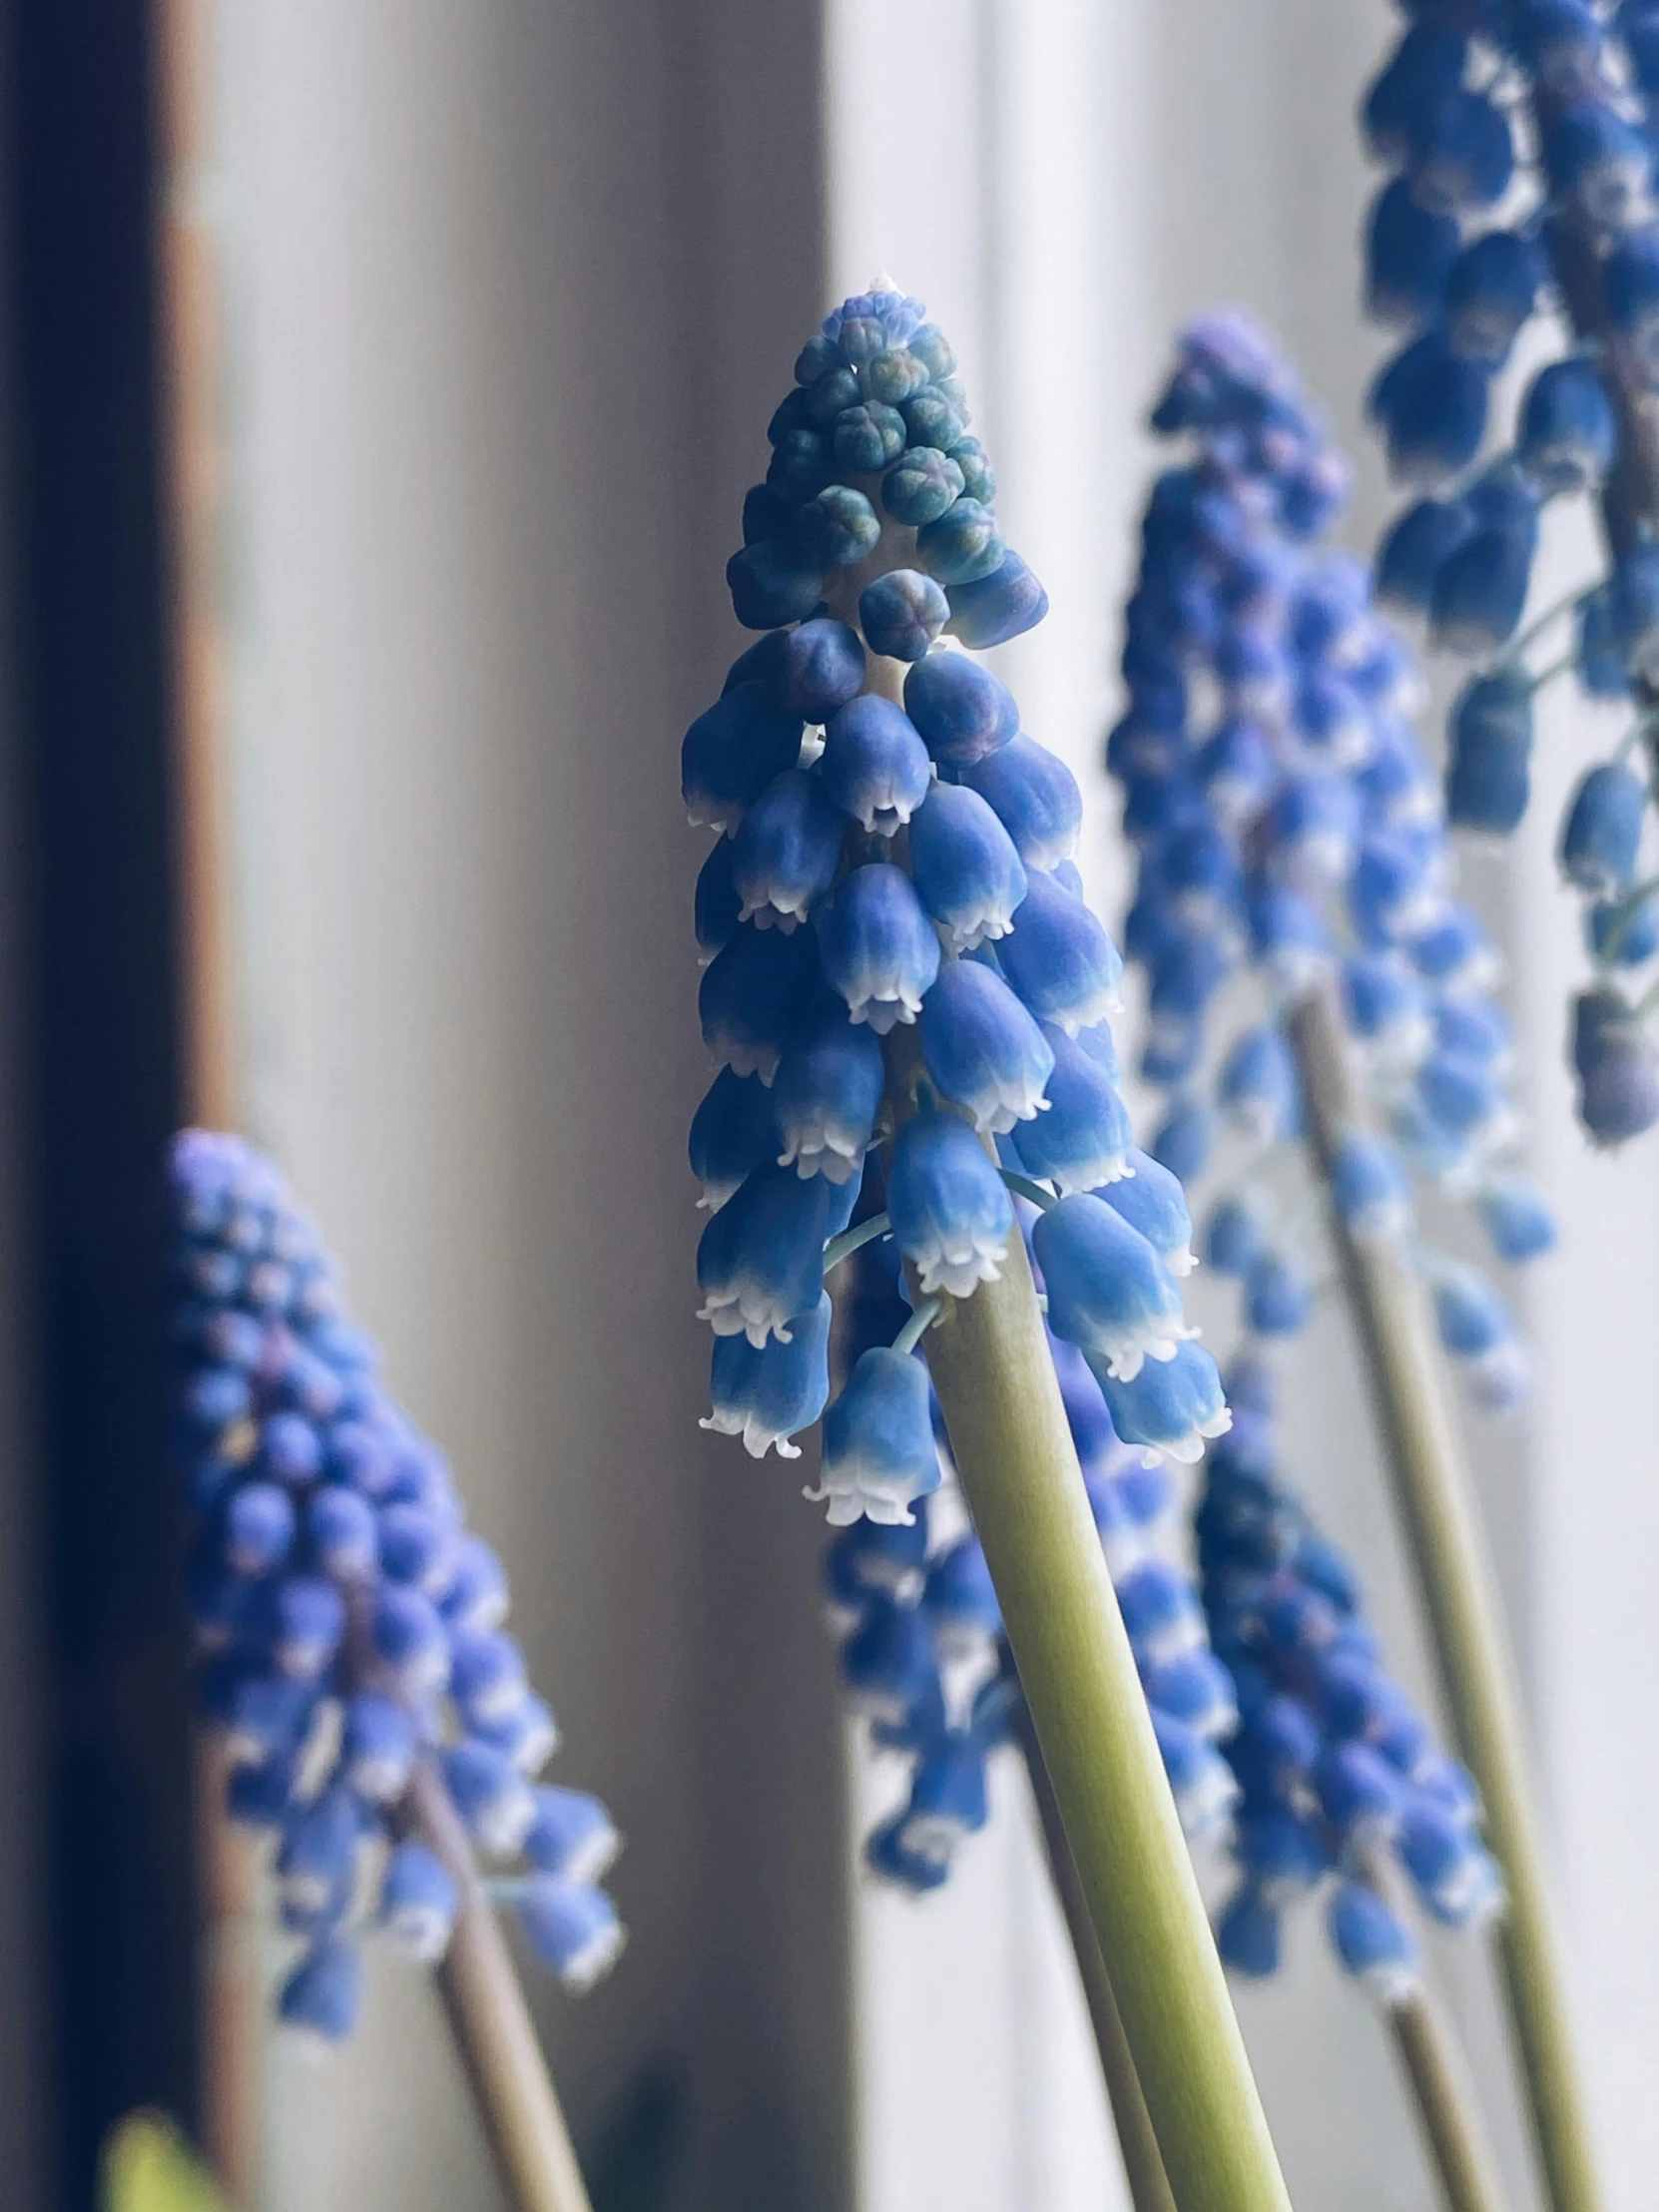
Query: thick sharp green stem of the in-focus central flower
{"x": 1021, "y": 1477}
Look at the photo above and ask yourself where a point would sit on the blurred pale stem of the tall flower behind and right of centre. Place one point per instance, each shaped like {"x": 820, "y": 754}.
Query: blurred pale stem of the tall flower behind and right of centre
{"x": 1443, "y": 1530}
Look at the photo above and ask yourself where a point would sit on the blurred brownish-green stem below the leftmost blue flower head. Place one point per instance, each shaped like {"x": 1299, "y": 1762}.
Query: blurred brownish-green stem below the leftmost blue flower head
{"x": 492, "y": 2025}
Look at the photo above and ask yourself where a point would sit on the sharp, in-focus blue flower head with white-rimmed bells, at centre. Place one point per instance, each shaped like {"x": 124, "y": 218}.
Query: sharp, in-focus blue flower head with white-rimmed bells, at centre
{"x": 897, "y": 943}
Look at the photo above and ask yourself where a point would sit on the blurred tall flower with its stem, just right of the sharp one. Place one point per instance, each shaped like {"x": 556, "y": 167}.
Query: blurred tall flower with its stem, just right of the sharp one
{"x": 1288, "y": 826}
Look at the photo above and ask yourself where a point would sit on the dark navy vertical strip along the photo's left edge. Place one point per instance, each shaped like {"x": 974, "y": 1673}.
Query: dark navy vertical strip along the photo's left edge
{"x": 98, "y": 1081}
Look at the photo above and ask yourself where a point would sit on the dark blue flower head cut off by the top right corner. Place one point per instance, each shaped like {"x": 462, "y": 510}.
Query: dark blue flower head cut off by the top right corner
{"x": 1523, "y": 145}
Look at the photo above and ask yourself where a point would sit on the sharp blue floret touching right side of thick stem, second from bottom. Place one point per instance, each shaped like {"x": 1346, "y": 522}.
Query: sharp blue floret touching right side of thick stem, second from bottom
{"x": 1109, "y": 1293}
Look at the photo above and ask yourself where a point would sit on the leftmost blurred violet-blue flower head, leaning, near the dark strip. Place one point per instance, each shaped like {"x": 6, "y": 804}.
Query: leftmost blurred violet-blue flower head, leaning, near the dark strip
{"x": 348, "y": 1627}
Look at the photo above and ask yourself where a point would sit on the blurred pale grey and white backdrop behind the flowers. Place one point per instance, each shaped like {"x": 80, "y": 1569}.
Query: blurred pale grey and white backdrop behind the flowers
{"x": 508, "y": 295}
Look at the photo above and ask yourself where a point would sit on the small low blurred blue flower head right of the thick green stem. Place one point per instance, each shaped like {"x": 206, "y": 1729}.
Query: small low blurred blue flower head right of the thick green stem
{"x": 1333, "y": 1762}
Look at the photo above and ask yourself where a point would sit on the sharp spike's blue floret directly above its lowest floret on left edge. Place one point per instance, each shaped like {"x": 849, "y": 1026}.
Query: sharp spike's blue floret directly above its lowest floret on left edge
{"x": 760, "y": 1260}
